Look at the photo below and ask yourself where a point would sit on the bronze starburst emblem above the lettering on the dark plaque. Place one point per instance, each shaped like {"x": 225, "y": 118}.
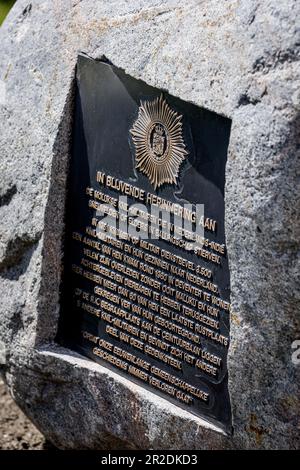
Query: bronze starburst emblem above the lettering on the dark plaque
{"x": 158, "y": 140}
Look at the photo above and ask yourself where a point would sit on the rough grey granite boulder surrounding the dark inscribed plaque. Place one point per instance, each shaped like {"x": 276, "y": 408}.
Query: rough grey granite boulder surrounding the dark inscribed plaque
{"x": 239, "y": 58}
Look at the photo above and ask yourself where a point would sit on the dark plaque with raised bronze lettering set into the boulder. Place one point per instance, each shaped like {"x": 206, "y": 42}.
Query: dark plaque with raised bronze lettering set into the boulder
{"x": 153, "y": 309}
